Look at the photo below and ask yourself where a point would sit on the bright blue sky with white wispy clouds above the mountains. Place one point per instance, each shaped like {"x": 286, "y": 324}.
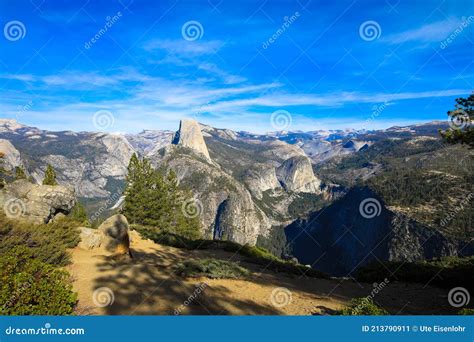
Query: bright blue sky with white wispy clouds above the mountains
{"x": 323, "y": 64}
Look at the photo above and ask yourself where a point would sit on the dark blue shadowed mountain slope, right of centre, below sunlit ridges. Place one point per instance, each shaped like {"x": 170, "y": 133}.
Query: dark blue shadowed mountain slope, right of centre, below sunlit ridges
{"x": 341, "y": 239}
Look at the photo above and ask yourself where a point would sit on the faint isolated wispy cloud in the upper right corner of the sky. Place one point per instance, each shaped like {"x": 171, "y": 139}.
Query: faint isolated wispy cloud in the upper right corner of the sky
{"x": 432, "y": 32}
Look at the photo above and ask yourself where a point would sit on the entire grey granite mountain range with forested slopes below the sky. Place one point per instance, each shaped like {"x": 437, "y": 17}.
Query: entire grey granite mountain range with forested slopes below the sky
{"x": 299, "y": 194}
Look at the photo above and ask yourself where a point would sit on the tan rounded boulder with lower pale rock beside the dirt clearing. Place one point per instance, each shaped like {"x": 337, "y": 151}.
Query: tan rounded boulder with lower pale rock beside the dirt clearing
{"x": 112, "y": 236}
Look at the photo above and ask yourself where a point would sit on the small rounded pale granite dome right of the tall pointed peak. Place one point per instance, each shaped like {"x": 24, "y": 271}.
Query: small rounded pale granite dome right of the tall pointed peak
{"x": 296, "y": 174}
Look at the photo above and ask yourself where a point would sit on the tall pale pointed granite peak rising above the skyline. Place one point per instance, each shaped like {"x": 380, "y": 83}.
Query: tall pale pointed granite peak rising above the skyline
{"x": 190, "y": 135}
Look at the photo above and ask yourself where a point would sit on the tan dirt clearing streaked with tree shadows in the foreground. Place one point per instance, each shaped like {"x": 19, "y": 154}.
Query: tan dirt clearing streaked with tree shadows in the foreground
{"x": 146, "y": 285}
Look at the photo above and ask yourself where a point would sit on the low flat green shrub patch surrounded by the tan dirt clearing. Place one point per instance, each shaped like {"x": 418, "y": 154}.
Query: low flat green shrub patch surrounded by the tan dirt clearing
{"x": 212, "y": 268}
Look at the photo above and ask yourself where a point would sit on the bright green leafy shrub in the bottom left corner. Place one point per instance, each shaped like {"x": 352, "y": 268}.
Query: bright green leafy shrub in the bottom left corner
{"x": 29, "y": 286}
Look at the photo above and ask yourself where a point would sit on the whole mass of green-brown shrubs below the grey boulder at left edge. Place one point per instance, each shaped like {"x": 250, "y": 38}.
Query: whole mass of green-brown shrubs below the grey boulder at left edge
{"x": 31, "y": 279}
